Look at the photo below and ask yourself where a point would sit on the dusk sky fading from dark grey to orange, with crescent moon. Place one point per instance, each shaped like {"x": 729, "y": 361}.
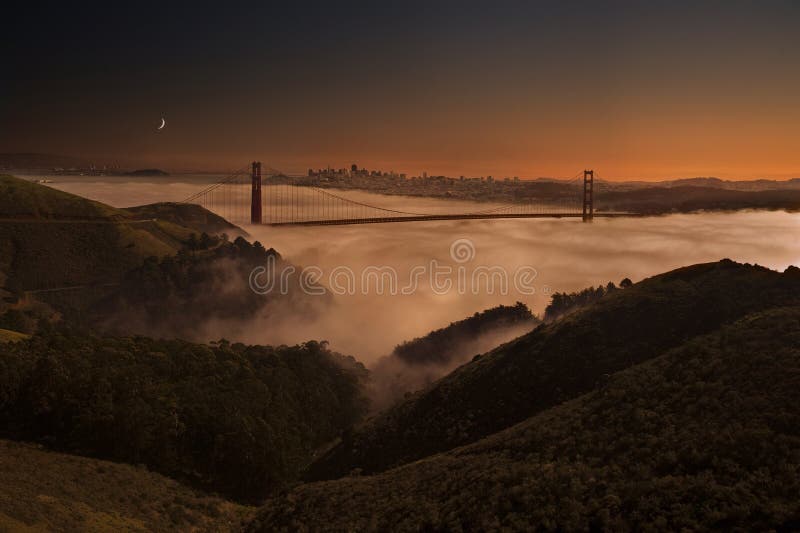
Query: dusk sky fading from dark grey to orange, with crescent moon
{"x": 638, "y": 89}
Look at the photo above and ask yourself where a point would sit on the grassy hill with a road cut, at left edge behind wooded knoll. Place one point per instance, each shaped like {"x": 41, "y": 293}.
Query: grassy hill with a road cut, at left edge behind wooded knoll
{"x": 49, "y": 238}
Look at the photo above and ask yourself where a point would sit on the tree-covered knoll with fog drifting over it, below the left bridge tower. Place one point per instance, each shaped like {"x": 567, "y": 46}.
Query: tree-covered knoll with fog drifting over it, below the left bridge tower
{"x": 206, "y": 283}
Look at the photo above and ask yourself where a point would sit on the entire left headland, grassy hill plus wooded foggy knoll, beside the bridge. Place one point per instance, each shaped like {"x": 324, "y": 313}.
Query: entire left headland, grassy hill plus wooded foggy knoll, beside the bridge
{"x": 164, "y": 269}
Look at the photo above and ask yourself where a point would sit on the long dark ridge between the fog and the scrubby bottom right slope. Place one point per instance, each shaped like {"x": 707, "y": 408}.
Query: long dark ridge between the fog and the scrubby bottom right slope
{"x": 560, "y": 361}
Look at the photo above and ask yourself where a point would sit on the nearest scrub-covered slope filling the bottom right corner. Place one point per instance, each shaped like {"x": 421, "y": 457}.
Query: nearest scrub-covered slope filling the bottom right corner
{"x": 704, "y": 437}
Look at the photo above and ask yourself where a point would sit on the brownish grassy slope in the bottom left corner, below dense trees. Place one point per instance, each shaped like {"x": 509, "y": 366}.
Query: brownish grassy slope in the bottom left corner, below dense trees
{"x": 47, "y": 491}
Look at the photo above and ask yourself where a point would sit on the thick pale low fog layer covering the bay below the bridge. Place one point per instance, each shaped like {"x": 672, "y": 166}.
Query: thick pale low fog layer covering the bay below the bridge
{"x": 566, "y": 254}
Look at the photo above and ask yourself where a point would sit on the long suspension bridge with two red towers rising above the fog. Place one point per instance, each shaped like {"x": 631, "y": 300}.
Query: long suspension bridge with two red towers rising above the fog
{"x": 284, "y": 200}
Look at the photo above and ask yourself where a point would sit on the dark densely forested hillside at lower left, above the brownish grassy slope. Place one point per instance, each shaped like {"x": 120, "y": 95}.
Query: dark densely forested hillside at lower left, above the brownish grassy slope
{"x": 240, "y": 420}
